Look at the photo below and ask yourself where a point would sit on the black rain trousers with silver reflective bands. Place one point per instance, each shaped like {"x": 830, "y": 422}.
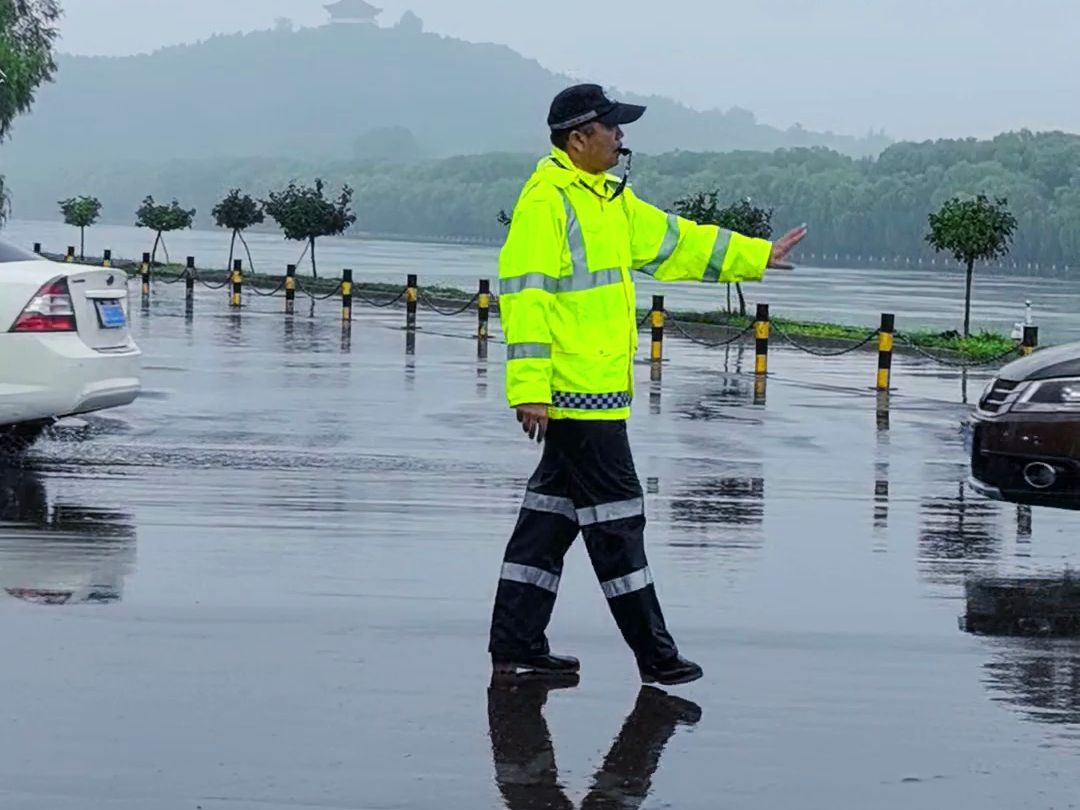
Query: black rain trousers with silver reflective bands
{"x": 586, "y": 483}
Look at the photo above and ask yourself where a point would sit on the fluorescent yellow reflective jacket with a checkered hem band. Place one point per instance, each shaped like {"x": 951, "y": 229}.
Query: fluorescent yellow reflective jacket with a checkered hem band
{"x": 566, "y": 295}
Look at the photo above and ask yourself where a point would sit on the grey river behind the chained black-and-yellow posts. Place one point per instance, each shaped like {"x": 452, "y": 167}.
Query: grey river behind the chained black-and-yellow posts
{"x": 931, "y": 299}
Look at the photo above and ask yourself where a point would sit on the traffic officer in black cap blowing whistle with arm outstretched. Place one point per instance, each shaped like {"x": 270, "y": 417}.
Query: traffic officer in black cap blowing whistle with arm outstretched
{"x": 569, "y": 313}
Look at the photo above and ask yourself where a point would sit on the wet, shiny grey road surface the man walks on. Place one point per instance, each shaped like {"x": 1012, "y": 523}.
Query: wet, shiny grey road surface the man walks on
{"x": 272, "y": 579}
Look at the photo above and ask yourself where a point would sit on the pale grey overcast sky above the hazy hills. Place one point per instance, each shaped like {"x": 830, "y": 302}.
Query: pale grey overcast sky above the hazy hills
{"x": 917, "y": 69}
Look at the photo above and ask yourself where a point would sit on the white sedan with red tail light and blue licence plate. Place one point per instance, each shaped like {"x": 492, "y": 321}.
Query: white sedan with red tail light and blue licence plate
{"x": 65, "y": 344}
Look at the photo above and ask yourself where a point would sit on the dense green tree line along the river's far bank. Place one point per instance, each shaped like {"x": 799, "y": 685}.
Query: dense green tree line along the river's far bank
{"x": 854, "y": 207}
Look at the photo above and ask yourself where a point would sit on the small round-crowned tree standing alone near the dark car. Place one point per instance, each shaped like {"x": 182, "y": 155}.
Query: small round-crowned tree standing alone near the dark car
{"x": 977, "y": 229}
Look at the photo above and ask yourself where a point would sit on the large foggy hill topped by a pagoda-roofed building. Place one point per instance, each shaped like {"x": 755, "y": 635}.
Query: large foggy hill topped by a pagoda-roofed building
{"x": 340, "y": 92}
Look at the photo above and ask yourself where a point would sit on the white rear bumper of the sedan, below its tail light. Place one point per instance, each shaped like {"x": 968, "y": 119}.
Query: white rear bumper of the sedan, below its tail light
{"x": 56, "y": 375}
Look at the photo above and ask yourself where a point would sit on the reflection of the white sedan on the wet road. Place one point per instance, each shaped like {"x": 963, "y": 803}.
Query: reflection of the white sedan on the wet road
{"x": 60, "y": 553}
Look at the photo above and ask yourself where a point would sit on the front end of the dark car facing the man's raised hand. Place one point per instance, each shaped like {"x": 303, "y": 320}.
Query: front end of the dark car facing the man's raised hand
{"x": 1027, "y": 431}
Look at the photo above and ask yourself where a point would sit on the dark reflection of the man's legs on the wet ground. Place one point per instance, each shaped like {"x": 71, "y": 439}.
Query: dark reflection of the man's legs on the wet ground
{"x": 525, "y": 760}
